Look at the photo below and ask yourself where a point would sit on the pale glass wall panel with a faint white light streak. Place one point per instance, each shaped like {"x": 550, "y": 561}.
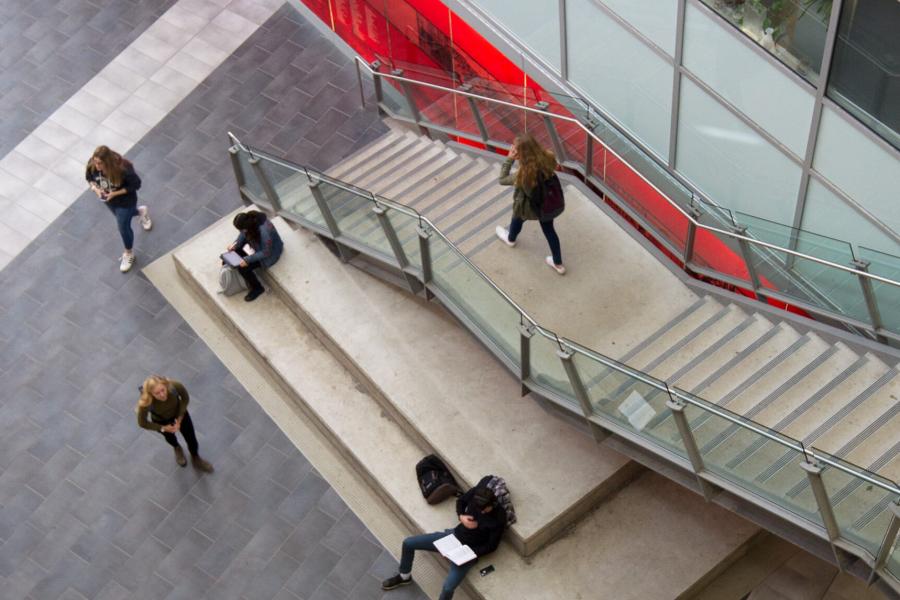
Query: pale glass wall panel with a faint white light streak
{"x": 731, "y": 163}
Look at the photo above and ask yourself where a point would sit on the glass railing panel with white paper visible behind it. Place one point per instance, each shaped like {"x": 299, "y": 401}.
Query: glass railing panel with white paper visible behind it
{"x": 633, "y": 400}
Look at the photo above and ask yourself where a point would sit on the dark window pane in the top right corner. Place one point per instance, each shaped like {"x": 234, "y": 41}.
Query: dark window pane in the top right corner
{"x": 865, "y": 70}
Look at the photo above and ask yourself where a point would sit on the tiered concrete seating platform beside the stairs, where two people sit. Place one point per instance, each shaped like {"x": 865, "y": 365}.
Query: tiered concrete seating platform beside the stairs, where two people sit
{"x": 511, "y": 436}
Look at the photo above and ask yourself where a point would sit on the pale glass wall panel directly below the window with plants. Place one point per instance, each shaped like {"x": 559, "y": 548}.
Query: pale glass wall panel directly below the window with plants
{"x": 771, "y": 98}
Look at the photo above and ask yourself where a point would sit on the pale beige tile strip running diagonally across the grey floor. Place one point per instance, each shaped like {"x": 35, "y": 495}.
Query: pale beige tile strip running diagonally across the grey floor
{"x": 44, "y": 174}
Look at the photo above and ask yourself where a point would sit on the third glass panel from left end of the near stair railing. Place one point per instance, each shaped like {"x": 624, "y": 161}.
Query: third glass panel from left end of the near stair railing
{"x": 355, "y": 218}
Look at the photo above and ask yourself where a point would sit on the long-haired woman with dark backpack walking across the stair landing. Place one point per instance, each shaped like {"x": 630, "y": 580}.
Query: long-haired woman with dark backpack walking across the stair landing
{"x": 535, "y": 165}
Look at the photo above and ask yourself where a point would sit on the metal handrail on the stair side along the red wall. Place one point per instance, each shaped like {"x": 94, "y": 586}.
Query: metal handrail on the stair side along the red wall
{"x": 674, "y": 204}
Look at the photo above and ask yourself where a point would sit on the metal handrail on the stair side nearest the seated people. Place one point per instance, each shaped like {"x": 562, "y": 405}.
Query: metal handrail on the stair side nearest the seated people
{"x": 611, "y": 363}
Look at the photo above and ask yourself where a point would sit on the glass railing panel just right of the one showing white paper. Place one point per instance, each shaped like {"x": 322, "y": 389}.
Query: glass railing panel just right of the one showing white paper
{"x": 734, "y": 449}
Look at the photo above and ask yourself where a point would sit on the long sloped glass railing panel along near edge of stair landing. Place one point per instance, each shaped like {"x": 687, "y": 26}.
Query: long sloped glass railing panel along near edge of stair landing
{"x": 488, "y": 310}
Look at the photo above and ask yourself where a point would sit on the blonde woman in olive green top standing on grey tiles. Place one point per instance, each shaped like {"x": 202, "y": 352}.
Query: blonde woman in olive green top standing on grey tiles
{"x": 163, "y": 407}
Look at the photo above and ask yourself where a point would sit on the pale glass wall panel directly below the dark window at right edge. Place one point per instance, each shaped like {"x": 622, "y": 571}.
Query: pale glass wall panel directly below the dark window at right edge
{"x": 860, "y": 167}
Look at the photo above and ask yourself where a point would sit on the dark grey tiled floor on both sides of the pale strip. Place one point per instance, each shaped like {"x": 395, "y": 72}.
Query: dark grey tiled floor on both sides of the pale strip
{"x": 90, "y": 505}
